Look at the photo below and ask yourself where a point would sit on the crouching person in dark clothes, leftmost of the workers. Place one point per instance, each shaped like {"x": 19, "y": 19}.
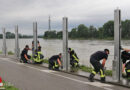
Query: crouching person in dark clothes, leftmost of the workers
{"x": 24, "y": 55}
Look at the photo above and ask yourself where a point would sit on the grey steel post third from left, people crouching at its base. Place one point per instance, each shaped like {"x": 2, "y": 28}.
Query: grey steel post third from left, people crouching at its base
{"x": 35, "y": 36}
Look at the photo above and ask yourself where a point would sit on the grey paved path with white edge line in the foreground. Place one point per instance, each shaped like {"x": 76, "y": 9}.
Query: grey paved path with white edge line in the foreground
{"x": 31, "y": 77}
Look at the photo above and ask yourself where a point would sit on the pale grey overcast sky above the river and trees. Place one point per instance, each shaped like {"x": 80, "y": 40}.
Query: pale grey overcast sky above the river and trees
{"x": 88, "y": 12}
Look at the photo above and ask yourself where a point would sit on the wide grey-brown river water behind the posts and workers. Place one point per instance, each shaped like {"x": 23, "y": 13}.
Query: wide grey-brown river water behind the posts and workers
{"x": 83, "y": 48}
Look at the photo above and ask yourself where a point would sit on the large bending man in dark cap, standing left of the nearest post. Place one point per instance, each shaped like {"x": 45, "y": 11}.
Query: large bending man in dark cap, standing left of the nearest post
{"x": 98, "y": 67}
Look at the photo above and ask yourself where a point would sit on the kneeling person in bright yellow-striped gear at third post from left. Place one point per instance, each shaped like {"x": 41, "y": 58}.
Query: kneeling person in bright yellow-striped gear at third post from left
{"x": 38, "y": 57}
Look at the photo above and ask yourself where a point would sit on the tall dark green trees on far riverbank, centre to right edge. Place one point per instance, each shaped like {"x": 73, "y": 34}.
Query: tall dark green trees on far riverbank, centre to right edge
{"x": 91, "y": 32}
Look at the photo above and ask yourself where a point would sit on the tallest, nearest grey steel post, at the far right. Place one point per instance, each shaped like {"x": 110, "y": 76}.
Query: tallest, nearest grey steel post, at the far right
{"x": 117, "y": 63}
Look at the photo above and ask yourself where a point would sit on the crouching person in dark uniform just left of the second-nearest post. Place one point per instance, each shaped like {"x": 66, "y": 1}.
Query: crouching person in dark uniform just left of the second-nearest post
{"x": 55, "y": 62}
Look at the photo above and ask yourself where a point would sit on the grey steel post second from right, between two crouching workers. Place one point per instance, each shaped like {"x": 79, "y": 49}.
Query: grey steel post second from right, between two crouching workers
{"x": 66, "y": 61}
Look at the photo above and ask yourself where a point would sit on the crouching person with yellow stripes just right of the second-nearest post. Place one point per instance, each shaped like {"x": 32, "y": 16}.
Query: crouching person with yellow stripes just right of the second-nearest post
{"x": 74, "y": 60}
